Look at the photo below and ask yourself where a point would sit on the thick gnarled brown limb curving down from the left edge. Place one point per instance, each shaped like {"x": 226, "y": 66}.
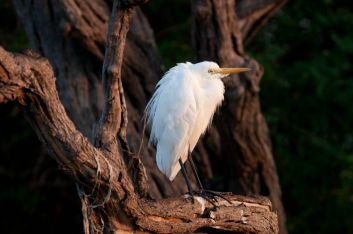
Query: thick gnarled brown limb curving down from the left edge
{"x": 28, "y": 79}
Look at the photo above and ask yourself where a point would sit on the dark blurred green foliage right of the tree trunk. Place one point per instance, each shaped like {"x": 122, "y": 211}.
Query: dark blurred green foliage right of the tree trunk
{"x": 306, "y": 96}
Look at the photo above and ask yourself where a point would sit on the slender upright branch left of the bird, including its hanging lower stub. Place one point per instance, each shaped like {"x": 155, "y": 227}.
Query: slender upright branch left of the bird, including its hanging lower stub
{"x": 114, "y": 117}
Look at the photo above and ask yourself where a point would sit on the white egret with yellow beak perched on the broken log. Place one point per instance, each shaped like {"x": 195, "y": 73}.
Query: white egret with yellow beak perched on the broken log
{"x": 181, "y": 110}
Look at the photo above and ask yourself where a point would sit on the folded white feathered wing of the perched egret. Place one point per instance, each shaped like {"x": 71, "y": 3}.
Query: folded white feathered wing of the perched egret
{"x": 173, "y": 113}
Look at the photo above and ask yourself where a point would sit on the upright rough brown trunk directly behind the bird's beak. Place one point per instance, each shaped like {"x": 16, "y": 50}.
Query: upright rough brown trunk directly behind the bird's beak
{"x": 244, "y": 136}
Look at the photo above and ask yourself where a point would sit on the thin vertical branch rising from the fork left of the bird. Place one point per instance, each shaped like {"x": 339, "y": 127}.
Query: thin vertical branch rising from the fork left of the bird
{"x": 114, "y": 117}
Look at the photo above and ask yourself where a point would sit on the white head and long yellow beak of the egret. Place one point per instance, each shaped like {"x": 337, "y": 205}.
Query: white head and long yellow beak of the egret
{"x": 211, "y": 70}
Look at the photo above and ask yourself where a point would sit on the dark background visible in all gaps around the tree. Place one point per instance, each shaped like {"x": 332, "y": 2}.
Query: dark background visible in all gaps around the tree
{"x": 306, "y": 97}
